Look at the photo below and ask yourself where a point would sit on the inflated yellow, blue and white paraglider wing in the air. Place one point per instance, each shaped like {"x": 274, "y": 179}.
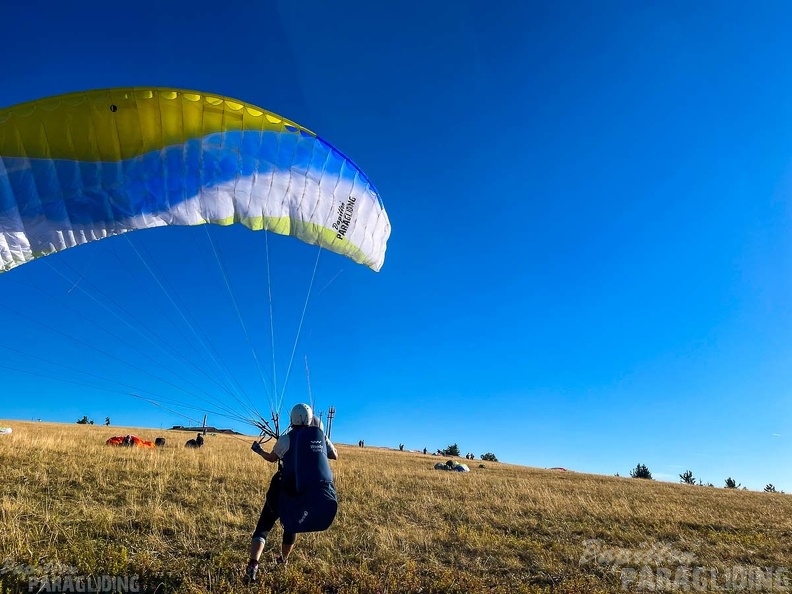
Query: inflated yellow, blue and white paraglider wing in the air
{"x": 84, "y": 166}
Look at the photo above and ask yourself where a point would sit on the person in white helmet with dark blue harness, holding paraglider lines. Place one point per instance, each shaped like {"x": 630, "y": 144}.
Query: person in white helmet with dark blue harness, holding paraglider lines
{"x": 303, "y": 483}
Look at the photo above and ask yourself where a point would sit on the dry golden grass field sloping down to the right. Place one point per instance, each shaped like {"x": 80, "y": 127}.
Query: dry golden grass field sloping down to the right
{"x": 182, "y": 518}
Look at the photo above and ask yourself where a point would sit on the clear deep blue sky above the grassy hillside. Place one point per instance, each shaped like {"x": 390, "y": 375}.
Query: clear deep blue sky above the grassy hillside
{"x": 591, "y": 250}
